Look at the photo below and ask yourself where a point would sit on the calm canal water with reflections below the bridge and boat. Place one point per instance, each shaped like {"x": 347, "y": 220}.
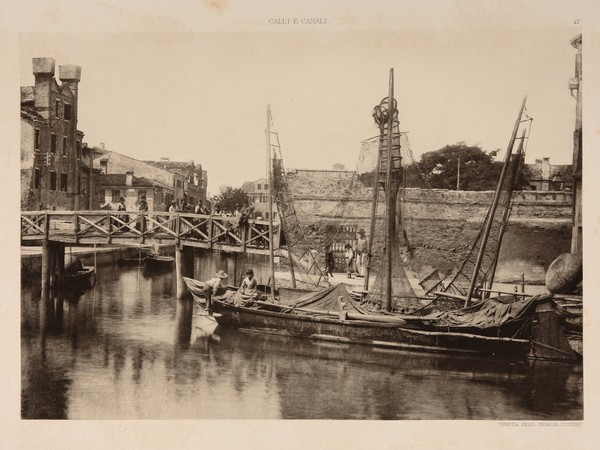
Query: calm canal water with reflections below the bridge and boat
{"x": 128, "y": 349}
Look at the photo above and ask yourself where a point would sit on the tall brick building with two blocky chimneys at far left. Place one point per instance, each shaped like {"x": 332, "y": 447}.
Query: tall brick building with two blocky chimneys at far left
{"x": 56, "y": 173}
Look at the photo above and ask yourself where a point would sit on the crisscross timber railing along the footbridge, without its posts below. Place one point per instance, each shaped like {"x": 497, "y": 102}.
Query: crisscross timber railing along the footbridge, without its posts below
{"x": 128, "y": 227}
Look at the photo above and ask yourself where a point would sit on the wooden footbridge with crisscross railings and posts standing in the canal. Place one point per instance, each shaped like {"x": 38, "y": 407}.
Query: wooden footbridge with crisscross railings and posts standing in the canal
{"x": 56, "y": 229}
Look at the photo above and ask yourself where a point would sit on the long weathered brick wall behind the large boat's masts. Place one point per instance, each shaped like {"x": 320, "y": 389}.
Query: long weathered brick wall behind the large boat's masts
{"x": 440, "y": 224}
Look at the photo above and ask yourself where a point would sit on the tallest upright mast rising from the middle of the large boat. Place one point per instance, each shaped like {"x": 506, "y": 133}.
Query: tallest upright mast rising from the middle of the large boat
{"x": 390, "y": 217}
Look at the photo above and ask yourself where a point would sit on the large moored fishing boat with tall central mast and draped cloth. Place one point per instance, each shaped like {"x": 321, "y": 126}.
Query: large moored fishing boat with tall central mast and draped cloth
{"x": 528, "y": 327}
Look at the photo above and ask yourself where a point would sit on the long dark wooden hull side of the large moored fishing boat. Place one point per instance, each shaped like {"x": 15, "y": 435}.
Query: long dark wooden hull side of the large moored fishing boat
{"x": 367, "y": 333}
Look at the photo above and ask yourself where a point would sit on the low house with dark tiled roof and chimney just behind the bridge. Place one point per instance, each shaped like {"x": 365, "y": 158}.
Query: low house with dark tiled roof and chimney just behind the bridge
{"x": 131, "y": 188}
